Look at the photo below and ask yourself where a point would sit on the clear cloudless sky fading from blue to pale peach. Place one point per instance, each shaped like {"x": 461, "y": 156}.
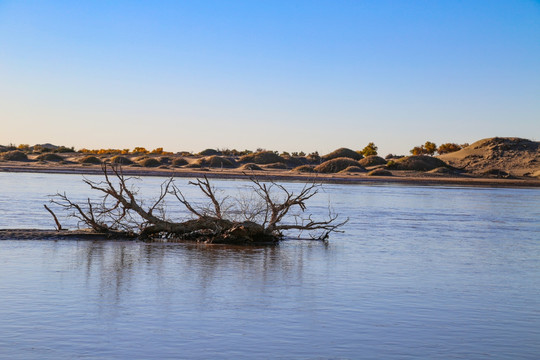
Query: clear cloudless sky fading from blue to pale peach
{"x": 279, "y": 75}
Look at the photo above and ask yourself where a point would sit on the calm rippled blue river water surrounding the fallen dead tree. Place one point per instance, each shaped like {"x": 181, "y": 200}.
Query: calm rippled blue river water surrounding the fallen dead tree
{"x": 421, "y": 272}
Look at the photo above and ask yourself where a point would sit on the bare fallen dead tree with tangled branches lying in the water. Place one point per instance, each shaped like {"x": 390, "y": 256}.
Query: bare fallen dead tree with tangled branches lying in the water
{"x": 260, "y": 220}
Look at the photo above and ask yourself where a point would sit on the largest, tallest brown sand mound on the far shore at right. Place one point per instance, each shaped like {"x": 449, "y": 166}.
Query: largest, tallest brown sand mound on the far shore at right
{"x": 512, "y": 155}
